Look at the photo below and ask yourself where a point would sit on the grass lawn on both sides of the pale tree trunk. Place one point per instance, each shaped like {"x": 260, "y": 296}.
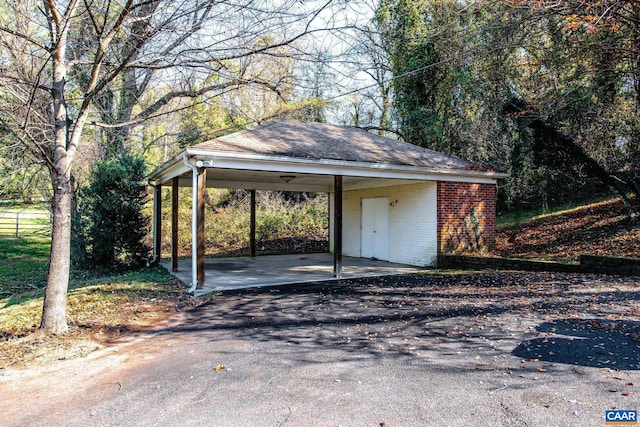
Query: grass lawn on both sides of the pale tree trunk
{"x": 96, "y": 300}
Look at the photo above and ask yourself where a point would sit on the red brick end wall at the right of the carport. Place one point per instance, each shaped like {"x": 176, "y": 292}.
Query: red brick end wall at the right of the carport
{"x": 466, "y": 217}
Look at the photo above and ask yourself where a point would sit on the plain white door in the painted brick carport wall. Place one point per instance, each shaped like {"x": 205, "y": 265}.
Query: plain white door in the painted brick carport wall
{"x": 375, "y": 228}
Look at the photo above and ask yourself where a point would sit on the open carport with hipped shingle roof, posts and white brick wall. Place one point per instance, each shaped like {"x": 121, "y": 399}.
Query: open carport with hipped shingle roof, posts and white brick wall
{"x": 391, "y": 189}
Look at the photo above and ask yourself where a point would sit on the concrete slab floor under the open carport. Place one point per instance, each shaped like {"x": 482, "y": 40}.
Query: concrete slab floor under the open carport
{"x": 224, "y": 274}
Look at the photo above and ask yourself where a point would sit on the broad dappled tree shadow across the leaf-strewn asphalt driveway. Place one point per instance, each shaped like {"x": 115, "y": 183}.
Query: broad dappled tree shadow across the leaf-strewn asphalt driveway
{"x": 432, "y": 318}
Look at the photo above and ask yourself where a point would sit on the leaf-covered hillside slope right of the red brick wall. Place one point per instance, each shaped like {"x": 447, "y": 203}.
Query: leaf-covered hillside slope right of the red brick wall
{"x": 597, "y": 229}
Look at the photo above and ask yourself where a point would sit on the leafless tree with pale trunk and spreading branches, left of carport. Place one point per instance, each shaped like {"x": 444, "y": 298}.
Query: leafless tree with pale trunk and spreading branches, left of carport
{"x": 74, "y": 65}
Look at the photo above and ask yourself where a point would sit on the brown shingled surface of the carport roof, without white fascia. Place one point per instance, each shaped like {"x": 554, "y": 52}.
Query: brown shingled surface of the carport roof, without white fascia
{"x": 321, "y": 141}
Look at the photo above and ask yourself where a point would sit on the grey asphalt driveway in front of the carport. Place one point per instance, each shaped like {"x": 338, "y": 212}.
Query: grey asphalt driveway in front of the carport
{"x": 511, "y": 349}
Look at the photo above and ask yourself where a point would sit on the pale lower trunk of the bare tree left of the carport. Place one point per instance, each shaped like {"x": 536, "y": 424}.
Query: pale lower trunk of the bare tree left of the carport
{"x": 54, "y": 311}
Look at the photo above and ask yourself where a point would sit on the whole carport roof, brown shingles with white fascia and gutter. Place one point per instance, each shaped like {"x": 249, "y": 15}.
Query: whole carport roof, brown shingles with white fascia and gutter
{"x": 293, "y": 146}
